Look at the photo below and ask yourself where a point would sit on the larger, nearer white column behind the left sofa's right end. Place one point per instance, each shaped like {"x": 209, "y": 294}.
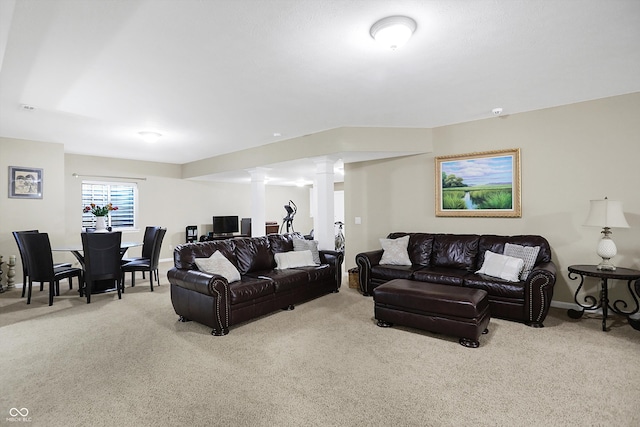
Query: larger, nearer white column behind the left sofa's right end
{"x": 323, "y": 227}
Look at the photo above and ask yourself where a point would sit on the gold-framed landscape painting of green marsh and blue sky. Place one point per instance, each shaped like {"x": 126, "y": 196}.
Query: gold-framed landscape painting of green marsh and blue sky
{"x": 479, "y": 184}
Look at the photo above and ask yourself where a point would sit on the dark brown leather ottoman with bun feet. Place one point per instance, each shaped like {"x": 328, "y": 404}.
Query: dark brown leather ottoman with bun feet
{"x": 445, "y": 309}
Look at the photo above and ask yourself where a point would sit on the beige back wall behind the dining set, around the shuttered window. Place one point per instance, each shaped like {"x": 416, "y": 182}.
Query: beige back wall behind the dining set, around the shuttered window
{"x": 164, "y": 198}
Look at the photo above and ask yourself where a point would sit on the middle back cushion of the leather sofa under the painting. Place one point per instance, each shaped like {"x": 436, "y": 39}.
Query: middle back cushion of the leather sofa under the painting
{"x": 455, "y": 251}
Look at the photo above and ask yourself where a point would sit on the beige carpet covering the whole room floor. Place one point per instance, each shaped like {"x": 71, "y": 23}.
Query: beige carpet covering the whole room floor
{"x": 326, "y": 363}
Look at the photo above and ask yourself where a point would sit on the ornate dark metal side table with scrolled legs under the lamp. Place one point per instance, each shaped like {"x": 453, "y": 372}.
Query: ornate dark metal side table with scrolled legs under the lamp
{"x": 618, "y": 306}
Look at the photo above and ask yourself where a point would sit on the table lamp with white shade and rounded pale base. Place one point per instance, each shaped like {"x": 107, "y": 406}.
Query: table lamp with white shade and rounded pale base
{"x": 607, "y": 214}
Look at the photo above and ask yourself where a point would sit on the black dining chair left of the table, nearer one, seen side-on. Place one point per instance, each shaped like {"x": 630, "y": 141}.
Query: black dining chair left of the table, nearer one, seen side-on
{"x": 41, "y": 268}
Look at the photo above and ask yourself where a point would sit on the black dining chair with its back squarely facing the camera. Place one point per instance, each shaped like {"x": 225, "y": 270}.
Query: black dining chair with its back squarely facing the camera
{"x": 101, "y": 260}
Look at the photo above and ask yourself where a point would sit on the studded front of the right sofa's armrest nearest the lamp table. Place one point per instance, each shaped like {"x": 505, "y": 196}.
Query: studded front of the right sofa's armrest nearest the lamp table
{"x": 539, "y": 292}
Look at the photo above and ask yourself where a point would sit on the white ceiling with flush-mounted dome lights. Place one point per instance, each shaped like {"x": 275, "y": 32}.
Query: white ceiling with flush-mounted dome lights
{"x": 216, "y": 76}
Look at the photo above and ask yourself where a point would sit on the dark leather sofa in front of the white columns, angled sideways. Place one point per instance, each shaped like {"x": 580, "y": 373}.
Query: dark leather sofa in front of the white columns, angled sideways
{"x": 211, "y": 300}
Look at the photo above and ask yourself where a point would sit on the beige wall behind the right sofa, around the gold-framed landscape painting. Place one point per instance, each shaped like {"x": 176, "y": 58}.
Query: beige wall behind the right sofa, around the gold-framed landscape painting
{"x": 570, "y": 154}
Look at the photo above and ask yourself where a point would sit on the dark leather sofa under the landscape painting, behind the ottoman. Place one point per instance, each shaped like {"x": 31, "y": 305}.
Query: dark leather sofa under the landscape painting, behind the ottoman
{"x": 453, "y": 259}
